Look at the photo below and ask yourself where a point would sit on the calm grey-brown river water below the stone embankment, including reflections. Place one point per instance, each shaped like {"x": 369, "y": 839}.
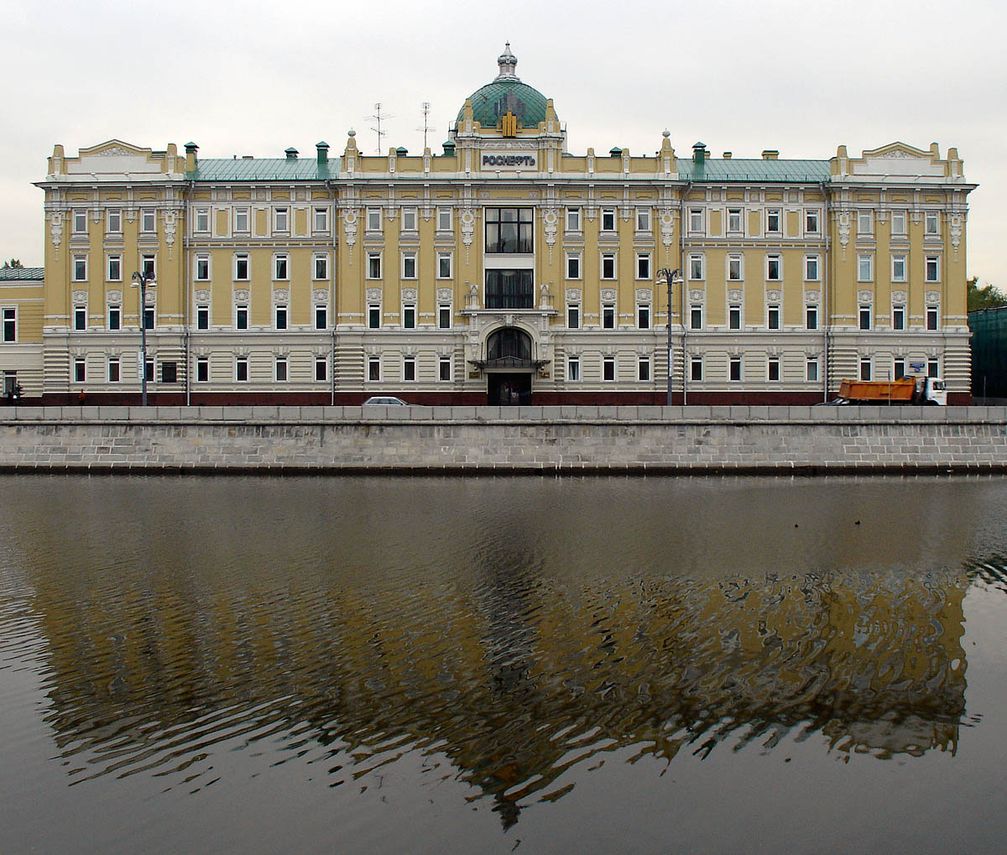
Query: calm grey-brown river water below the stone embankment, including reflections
{"x": 540, "y": 665}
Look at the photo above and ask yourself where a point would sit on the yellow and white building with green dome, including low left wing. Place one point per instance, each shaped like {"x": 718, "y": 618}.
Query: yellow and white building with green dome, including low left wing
{"x": 502, "y": 269}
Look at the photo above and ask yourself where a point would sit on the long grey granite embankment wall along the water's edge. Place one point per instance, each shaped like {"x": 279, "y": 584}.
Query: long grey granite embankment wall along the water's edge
{"x": 679, "y": 441}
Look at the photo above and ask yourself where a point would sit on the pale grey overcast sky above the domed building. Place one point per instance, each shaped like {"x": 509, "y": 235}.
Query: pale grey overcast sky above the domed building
{"x": 254, "y": 78}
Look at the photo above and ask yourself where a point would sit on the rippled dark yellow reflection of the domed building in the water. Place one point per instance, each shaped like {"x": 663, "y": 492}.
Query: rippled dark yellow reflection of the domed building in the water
{"x": 874, "y": 661}
